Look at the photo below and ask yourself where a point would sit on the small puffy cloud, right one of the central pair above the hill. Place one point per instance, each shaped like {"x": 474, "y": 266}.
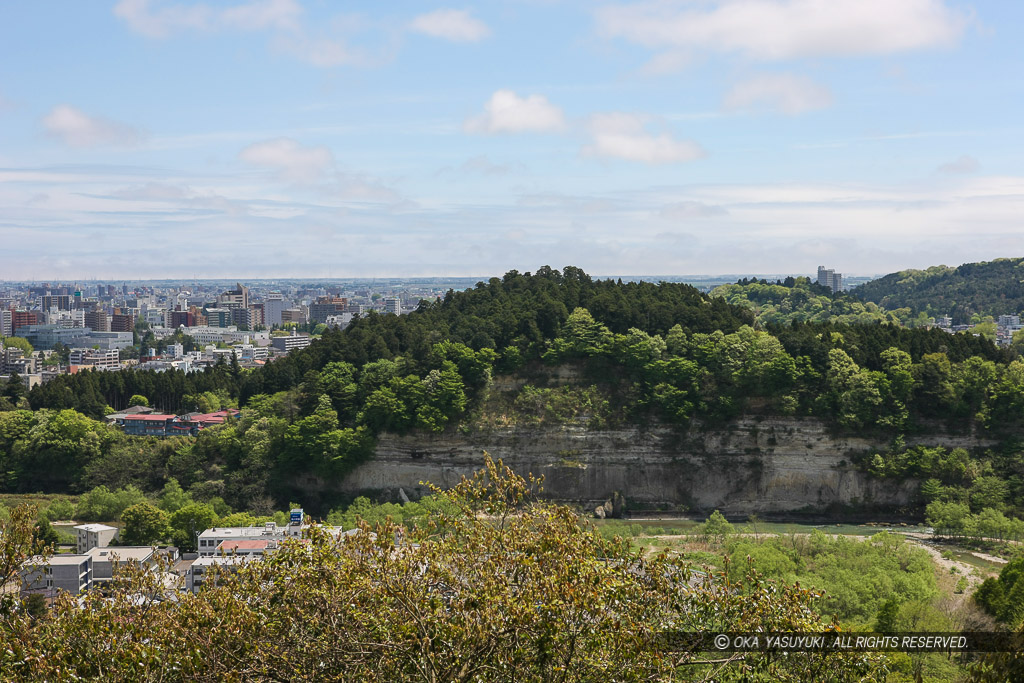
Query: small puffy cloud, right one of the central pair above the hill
{"x": 625, "y": 137}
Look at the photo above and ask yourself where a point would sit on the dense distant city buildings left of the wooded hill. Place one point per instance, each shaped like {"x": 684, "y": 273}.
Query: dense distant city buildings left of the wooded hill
{"x": 98, "y": 327}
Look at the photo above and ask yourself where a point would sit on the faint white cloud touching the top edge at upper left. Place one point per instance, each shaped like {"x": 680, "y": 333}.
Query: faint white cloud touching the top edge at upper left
{"x": 143, "y": 18}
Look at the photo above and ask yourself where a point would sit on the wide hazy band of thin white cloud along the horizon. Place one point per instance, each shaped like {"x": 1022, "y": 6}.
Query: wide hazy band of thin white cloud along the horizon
{"x": 770, "y": 229}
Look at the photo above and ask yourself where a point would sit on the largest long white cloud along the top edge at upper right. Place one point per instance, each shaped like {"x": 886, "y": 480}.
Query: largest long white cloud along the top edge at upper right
{"x": 786, "y": 29}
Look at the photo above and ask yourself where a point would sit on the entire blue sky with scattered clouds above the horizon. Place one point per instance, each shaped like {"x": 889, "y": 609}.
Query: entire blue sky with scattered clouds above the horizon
{"x": 316, "y": 139}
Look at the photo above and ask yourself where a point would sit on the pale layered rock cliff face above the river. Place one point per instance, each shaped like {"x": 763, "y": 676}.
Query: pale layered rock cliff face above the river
{"x": 751, "y": 465}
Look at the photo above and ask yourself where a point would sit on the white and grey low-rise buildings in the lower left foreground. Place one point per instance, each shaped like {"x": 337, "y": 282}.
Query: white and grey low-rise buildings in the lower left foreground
{"x": 97, "y": 558}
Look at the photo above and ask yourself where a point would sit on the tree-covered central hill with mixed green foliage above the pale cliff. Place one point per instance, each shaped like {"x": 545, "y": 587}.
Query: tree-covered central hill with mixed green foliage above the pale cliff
{"x": 644, "y": 354}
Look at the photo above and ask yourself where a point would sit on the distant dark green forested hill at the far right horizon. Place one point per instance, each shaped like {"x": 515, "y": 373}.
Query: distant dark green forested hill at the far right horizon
{"x": 966, "y": 293}
